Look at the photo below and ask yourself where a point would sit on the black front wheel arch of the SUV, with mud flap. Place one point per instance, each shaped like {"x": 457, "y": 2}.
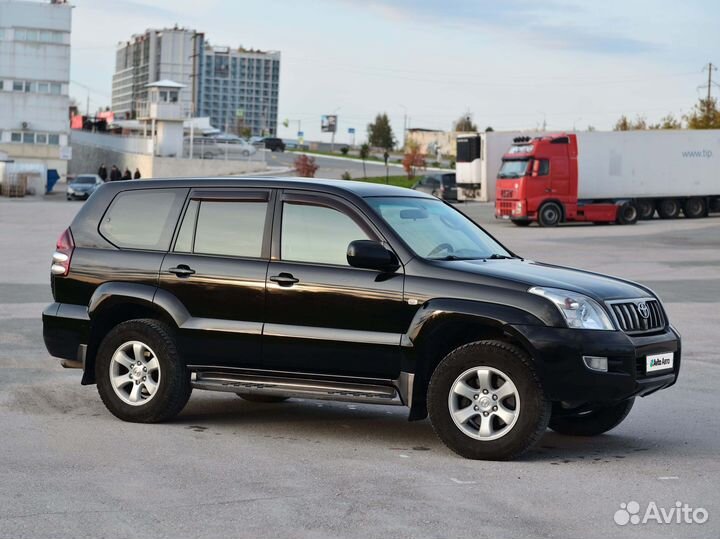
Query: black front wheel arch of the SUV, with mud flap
{"x": 444, "y": 325}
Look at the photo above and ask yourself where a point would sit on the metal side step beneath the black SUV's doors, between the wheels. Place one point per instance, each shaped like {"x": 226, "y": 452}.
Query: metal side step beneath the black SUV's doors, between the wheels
{"x": 296, "y": 387}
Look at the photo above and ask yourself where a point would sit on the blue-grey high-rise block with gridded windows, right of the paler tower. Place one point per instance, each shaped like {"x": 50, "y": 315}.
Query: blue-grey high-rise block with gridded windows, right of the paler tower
{"x": 238, "y": 88}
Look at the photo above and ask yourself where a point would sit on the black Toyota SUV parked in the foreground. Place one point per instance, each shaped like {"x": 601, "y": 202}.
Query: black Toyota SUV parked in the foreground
{"x": 280, "y": 288}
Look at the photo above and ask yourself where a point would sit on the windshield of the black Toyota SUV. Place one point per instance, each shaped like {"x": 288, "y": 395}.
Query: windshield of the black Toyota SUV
{"x": 434, "y": 230}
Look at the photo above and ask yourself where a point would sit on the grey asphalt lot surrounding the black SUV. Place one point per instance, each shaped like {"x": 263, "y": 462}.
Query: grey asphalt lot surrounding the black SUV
{"x": 230, "y": 468}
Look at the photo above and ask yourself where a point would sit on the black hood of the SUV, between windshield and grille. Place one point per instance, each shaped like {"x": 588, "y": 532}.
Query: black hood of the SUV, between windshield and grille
{"x": 598, "y": 286}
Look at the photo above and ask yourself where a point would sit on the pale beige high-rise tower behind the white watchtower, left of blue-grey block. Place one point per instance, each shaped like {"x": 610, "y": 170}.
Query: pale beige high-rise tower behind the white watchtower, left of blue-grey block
{"x": 155, "y": 55}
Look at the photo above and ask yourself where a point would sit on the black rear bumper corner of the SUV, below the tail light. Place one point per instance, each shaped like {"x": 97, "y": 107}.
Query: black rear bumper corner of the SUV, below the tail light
{"x": 66, "y": 329}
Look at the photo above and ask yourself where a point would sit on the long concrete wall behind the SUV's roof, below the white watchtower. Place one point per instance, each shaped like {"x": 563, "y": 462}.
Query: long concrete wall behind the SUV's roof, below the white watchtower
{"x": 87, "y": 159}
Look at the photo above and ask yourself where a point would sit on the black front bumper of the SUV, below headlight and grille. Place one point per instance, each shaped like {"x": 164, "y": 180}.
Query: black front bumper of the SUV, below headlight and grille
{"x": 558, "y": 355}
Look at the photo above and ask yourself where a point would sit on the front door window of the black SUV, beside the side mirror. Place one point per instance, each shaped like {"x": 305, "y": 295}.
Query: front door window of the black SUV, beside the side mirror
{"x": 317, "y": 234}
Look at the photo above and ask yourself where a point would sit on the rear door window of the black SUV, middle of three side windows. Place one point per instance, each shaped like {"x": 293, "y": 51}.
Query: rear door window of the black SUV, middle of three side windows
{"x": 232, "y": 228}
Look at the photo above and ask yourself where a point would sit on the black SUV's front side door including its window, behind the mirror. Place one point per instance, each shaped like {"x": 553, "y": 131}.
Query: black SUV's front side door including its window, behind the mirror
{"x": 324, "y": 316}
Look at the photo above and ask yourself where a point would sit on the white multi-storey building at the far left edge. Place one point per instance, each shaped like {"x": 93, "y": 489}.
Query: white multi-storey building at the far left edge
{"x": 34, "y": 83}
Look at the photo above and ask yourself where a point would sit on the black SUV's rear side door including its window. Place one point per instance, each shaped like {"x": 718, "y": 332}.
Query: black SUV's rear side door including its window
{"x": 217, "y": 269}
